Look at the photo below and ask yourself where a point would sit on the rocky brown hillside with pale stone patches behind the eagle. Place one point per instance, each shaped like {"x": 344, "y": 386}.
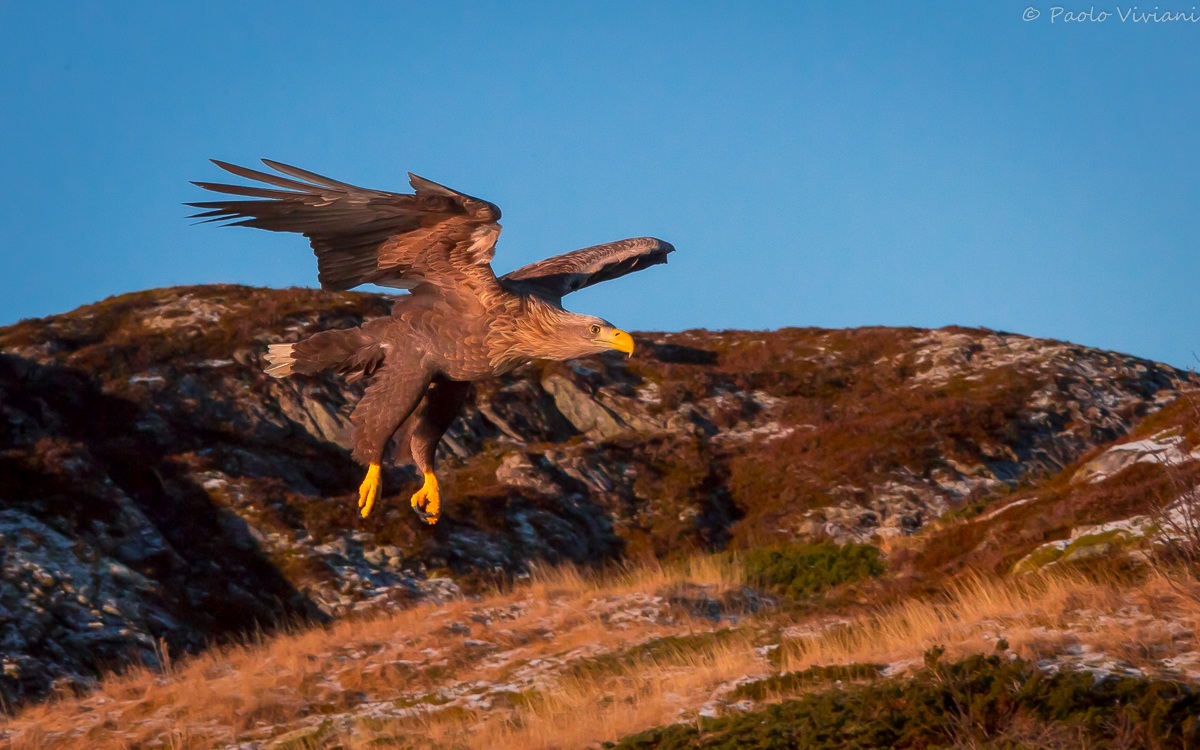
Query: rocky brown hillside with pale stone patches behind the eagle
{"x": 159, "y": 493}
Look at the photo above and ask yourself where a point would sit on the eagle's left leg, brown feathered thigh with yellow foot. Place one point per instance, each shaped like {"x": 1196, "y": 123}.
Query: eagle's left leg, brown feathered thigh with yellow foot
{"x": 385, "y": 407}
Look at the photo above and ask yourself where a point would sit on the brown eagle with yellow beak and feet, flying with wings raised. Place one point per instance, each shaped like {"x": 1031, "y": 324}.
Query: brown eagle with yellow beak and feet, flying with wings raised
{"x": 459, "y": 322}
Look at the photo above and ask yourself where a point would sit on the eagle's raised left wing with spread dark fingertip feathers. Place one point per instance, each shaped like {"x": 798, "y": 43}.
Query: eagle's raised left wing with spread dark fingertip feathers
{"x": 436, "y": 236}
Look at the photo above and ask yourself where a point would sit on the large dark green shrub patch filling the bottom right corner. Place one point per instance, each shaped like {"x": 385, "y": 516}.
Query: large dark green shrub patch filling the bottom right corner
{"x": 982, "y": 701}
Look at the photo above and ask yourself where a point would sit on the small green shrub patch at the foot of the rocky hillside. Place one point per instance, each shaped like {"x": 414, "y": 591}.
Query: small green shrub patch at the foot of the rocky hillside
{"x": 803, "y": 571}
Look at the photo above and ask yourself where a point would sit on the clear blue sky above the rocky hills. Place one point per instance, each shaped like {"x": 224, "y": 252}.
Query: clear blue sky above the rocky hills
{"x": 831, "y": 165}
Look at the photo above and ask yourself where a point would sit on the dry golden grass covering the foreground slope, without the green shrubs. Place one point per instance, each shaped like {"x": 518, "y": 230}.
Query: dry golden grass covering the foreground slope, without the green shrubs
{"x": 556, "y": 668}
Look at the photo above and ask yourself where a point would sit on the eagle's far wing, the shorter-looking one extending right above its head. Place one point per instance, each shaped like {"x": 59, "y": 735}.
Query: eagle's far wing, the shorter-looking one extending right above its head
{"x": 556, "y": 278}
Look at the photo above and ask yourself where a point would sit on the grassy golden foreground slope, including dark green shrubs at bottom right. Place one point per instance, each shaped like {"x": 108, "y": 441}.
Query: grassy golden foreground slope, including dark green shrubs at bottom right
{"x": 664, "y": 658}
